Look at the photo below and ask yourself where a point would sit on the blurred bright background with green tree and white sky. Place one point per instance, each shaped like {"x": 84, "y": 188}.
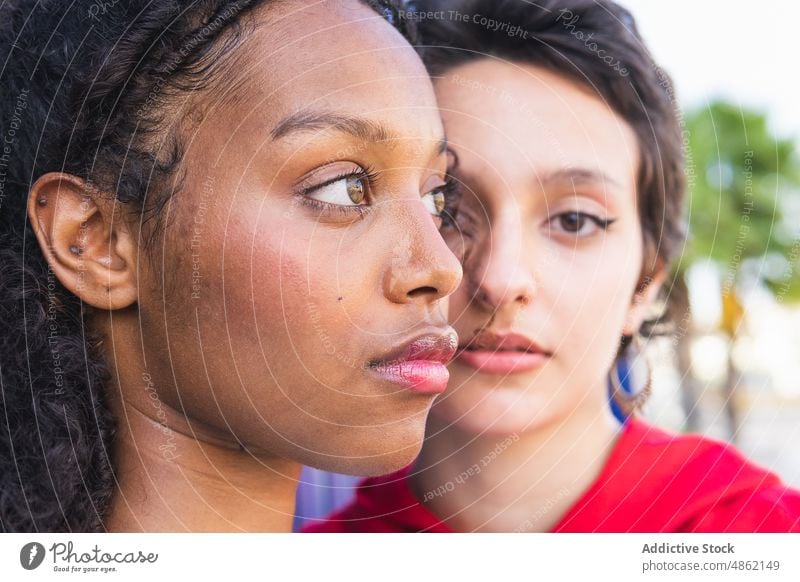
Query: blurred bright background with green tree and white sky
{"x": 733, "y": 372}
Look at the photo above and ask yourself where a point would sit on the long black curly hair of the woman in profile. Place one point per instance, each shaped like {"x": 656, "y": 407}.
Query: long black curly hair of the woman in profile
{"x": 84, "y": 90}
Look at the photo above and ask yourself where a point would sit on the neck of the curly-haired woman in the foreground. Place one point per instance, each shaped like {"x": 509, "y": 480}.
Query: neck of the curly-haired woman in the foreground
{"x": 173, "y": 476}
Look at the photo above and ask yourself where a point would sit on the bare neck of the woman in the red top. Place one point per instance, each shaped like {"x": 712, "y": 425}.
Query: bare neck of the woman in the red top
{"x": 523, "y": 481}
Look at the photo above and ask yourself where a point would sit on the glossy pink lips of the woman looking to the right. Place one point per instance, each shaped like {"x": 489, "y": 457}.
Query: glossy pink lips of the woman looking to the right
{"x": 420, "y": 364}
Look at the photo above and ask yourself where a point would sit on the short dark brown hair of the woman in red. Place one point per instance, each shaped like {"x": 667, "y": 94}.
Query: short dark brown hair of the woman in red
{"x": 596, "y": 44}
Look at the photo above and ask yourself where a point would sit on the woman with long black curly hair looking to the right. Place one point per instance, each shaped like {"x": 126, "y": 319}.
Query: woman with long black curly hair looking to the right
{"x": 219, "y": 258}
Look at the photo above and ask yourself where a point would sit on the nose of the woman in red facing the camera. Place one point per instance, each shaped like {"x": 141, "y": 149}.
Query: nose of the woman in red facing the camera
{"x": 497, "y": 276}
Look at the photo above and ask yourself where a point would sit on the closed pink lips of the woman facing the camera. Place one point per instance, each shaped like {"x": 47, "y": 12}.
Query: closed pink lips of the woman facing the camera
{"x": 502, "y": 354}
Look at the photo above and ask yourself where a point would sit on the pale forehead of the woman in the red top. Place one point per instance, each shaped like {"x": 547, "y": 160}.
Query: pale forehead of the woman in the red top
{"x": 516, "y": 118}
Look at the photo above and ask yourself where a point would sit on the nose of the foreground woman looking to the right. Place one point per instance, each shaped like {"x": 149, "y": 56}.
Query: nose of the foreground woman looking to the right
{"x": 422, "y": 268}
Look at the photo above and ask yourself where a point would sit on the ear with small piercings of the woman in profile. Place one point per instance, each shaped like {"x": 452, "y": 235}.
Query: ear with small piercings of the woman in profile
{"x": 87, "y": 245}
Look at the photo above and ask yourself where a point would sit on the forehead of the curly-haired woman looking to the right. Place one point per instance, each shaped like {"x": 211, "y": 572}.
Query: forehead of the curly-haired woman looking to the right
{"x": 339, "y": 56}
